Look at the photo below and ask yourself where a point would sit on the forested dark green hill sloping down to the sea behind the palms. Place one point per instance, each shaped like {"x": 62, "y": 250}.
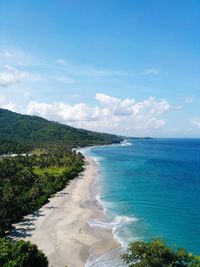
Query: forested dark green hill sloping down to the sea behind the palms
{"x": 36, "y": 131}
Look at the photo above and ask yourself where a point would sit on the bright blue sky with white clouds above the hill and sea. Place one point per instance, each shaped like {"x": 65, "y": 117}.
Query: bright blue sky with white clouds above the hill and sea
{"x": 117, "y": 66}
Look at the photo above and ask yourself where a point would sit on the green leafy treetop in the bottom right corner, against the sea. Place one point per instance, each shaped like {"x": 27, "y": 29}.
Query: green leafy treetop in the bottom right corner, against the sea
{"x": 158, "y": 254}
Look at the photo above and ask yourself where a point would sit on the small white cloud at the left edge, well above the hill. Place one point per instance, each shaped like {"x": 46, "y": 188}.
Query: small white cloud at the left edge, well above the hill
{"x": 11, "y": 76}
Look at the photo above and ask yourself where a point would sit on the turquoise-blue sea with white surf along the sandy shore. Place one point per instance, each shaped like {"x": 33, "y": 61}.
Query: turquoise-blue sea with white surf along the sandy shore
{"x": 149, "y": 188}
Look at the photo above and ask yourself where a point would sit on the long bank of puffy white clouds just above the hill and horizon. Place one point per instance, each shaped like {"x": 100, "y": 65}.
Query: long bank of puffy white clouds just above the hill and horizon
{"x": 124, "y": 116}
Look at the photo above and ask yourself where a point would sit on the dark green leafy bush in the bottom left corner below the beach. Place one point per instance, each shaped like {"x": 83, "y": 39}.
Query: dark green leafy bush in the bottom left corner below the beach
{"x": 21, "y": 254}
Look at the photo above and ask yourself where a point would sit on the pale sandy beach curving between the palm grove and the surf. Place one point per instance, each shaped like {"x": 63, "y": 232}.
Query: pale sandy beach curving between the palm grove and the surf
{"x": 61, "y": 229}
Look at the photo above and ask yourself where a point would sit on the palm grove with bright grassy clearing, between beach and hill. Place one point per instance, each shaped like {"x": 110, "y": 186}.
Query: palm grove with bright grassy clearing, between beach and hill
{"x": 26, "y": 182}
